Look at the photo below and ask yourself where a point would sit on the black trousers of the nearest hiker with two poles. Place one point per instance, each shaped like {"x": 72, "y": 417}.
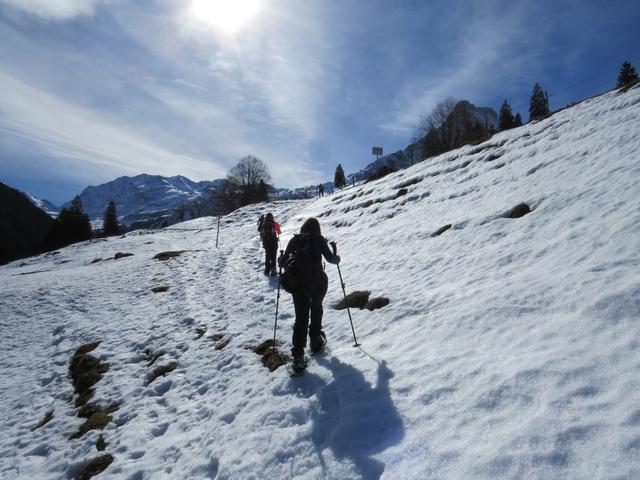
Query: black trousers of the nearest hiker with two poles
{"x": 308, "y": 308}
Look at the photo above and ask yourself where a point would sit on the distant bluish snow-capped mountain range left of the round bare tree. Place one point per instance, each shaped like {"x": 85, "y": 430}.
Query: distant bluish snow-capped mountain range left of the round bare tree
{"x": 143, "y": 197}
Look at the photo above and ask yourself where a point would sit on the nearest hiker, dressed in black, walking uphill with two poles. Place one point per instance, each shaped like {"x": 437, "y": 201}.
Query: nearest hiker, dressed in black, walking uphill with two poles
{"x": 309, "y": 289}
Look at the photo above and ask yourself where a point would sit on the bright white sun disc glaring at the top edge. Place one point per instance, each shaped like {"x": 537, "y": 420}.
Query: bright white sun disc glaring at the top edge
{"x": 228, "y": 16}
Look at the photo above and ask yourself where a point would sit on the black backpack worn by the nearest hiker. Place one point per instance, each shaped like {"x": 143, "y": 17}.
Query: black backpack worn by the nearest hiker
{"x": 297, "y": 276}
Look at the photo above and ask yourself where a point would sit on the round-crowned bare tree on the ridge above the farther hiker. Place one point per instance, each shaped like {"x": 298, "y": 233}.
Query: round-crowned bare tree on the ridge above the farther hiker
{"x": 243, "y": 183}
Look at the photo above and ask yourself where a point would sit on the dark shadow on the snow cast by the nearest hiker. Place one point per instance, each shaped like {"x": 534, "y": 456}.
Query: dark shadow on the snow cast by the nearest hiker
{"x": 357, "y": 420}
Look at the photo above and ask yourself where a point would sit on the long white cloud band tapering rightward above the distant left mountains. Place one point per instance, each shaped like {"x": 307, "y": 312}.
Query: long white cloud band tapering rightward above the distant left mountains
{"x": 69, "y": 131}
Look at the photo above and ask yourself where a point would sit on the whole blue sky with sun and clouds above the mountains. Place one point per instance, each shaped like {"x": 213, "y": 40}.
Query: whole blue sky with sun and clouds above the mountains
{"x": 94, "y": 89}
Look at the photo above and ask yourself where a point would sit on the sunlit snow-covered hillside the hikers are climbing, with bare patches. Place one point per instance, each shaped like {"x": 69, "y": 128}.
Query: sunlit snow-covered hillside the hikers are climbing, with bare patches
{"x": 510, "y": 348}
